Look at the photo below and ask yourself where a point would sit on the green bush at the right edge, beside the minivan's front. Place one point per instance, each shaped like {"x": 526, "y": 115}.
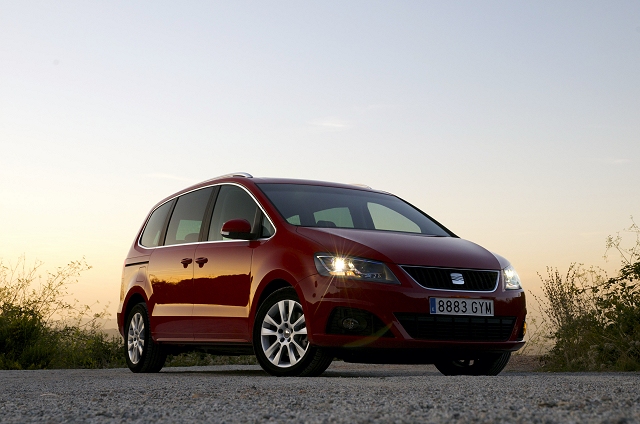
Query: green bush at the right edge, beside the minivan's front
{"x": 593, "y": 320}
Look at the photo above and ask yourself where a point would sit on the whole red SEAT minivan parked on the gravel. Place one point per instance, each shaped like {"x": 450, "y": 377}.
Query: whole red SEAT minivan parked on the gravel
{"x": 301, "y": 272}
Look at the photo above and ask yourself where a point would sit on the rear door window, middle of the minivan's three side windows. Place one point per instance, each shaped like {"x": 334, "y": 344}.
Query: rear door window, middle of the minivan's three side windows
{"x": 186, "y": 220}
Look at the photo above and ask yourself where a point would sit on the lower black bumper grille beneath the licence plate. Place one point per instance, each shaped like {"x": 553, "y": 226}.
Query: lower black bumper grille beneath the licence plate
{"x": 462, "y": 328}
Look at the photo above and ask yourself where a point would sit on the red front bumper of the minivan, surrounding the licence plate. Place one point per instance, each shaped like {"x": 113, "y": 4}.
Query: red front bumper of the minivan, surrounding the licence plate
{"x": 388, "y": 302}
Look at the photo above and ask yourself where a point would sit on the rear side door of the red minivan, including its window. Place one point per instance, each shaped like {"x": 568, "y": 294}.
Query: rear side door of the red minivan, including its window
{"x": 171, "y": 269}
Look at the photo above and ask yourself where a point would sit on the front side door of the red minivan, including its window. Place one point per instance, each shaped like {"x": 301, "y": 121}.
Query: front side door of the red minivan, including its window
{"x": 222, "y": 276}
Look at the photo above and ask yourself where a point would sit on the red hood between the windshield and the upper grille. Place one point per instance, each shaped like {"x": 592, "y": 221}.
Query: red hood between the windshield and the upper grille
{"x": 403, "y": 248}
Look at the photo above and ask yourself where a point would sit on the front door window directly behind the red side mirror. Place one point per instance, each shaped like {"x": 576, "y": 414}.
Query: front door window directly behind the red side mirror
{"x": 232, "y": 203}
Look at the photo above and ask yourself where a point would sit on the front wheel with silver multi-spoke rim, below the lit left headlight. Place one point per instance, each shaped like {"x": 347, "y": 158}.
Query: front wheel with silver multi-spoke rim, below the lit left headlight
{"x": 280, "y": 338}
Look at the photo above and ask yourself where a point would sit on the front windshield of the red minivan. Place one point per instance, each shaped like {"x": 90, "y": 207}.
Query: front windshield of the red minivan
{"x": 332, "y": 207}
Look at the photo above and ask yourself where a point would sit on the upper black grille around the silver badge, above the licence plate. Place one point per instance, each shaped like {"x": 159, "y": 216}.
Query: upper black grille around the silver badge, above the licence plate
{"x": 441, "y": 278}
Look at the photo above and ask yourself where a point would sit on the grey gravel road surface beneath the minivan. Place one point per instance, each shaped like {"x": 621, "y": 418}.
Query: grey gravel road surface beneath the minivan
{"x": 344, "y": 393}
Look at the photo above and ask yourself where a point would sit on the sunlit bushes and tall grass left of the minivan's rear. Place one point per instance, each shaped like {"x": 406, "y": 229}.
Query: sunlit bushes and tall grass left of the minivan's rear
{"x": 40, "y": 328}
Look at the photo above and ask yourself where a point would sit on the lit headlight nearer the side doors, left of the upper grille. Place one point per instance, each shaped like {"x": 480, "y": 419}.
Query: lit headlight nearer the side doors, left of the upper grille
{"x": 354, "y": 268}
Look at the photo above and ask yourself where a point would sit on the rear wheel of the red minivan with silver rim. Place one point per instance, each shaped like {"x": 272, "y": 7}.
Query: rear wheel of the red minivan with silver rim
{"x": 140, "y": 351}
